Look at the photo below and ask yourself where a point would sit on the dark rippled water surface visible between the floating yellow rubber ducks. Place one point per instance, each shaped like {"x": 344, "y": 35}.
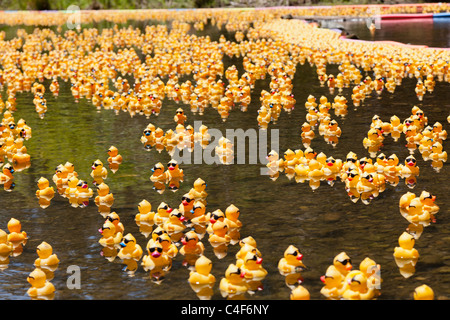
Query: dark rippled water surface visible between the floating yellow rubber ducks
{"x": 321, "y": 222}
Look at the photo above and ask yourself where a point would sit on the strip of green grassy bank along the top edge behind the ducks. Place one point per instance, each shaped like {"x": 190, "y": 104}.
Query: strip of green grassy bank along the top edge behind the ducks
{"x": 165, "y": 4}
